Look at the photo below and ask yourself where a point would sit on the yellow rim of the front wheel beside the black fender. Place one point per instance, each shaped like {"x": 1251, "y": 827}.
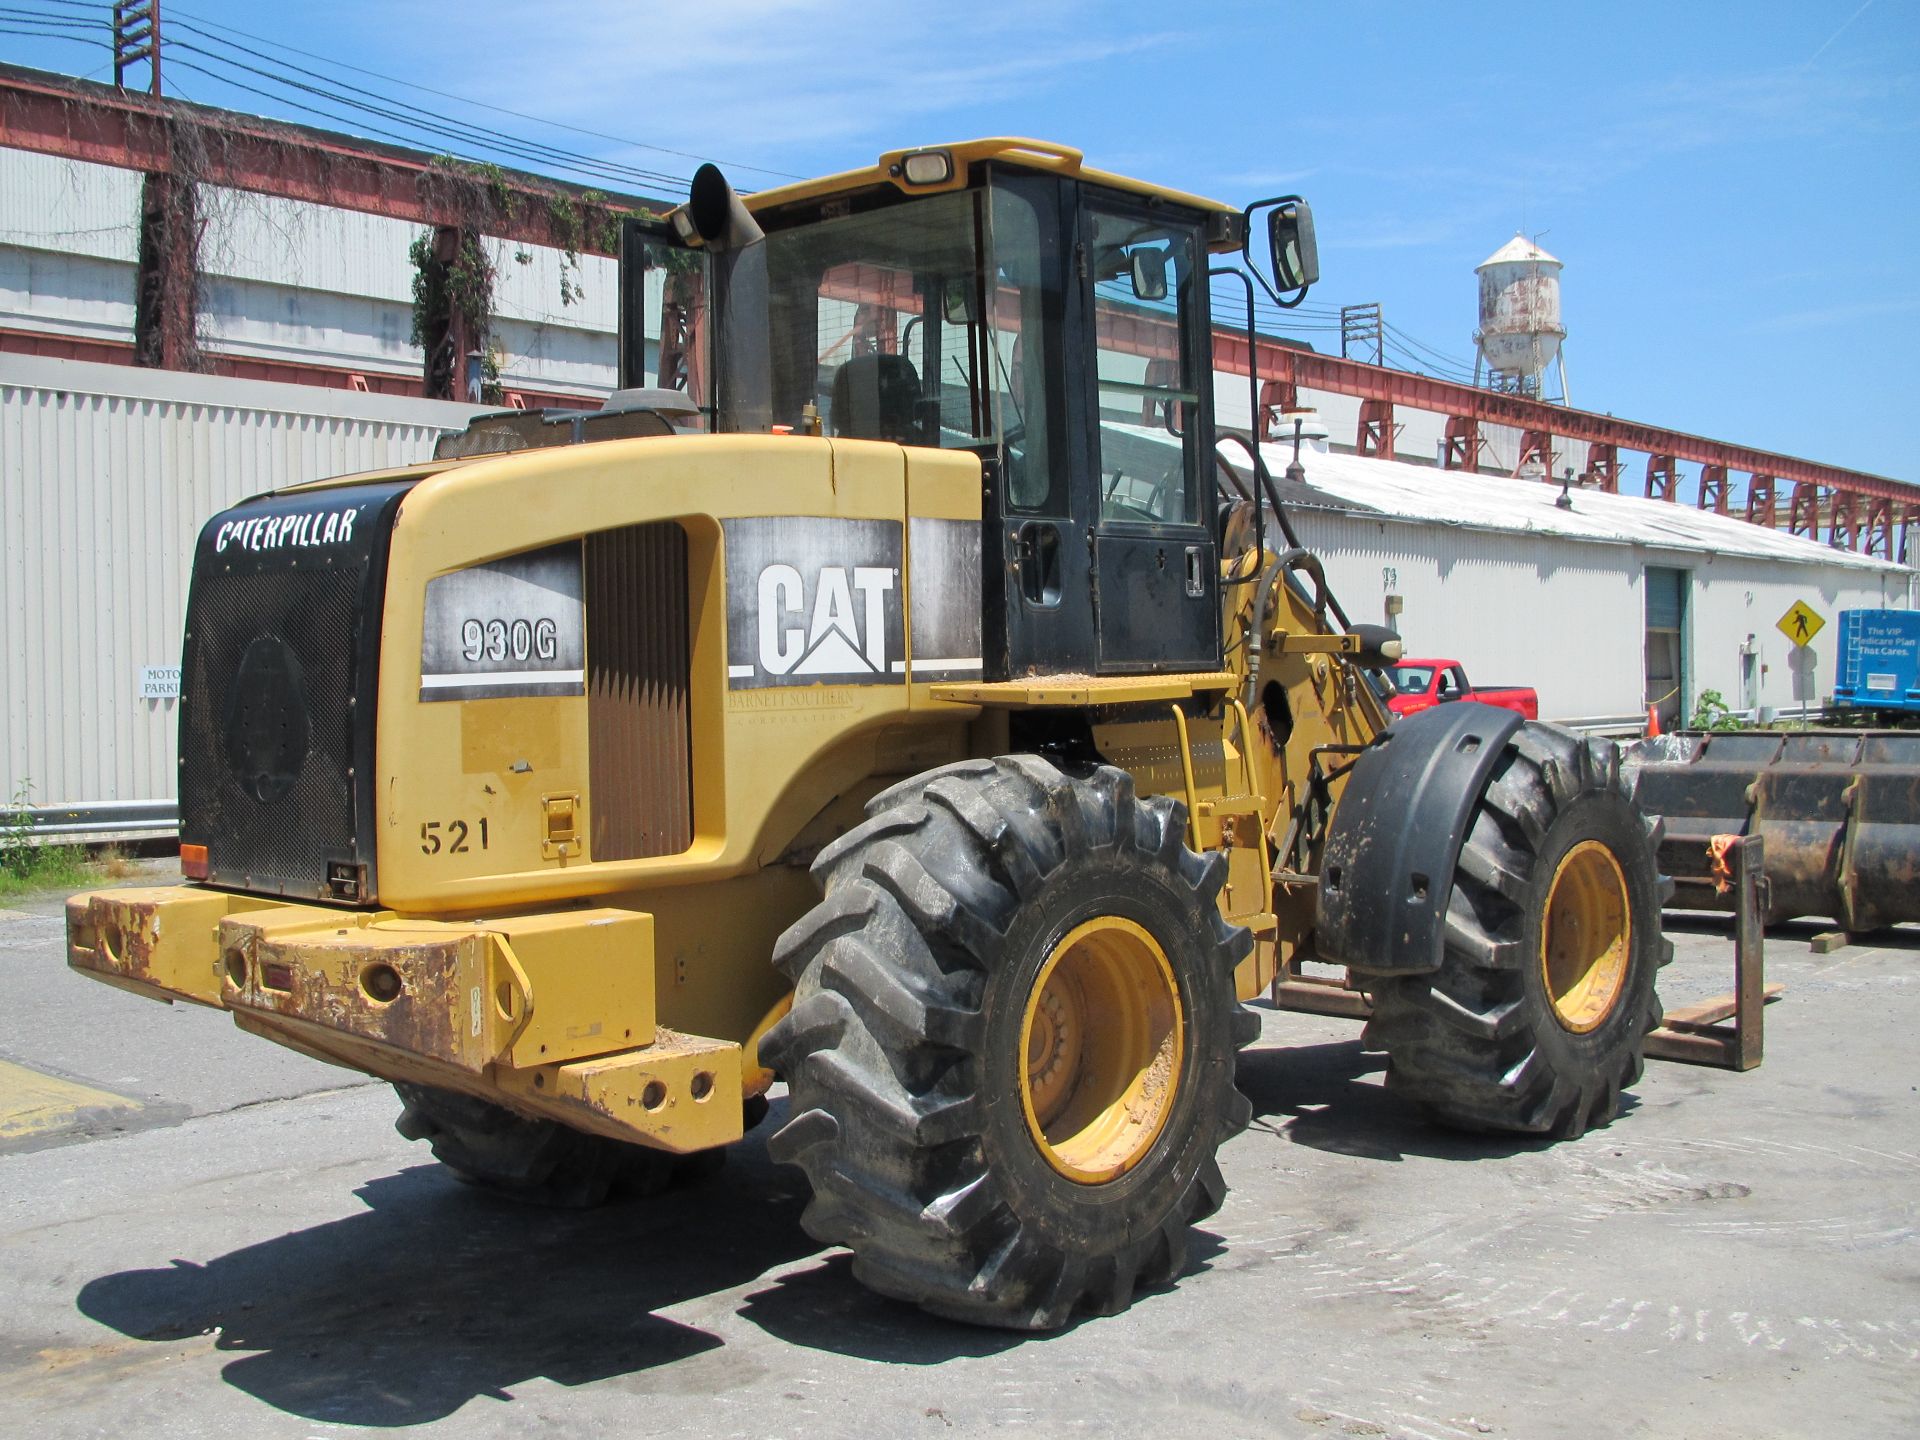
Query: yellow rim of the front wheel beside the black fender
{"x": 1587, "y": 940}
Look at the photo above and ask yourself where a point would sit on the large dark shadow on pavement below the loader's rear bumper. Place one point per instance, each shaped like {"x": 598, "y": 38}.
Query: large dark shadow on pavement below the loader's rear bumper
{"x": 441, "y": 1293}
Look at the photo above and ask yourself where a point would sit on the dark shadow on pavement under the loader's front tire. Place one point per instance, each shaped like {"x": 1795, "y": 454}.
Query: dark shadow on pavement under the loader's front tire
{"x": 1330, "y": 1097}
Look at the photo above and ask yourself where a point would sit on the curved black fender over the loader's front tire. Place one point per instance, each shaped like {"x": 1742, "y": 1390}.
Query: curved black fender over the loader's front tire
{"x": 1387, "y": 869}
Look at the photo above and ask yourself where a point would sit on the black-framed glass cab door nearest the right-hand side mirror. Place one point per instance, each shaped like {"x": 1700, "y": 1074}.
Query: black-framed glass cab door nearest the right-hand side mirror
{"x": 1149, "y": 439}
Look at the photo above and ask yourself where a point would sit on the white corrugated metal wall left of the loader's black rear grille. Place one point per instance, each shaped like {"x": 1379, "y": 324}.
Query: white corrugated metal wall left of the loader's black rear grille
{"x": 107, "y": 475}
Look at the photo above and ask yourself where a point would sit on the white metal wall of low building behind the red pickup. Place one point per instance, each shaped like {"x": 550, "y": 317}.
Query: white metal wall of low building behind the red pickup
{"x": 1570, "y": 617}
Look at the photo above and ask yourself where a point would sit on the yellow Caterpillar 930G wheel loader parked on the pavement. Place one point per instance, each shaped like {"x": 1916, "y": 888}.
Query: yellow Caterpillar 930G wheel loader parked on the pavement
{"x": 901, "y": 698}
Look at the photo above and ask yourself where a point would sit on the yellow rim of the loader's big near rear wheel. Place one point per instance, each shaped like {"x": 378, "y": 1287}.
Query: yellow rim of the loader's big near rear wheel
{"x": 1101, "y": 1051}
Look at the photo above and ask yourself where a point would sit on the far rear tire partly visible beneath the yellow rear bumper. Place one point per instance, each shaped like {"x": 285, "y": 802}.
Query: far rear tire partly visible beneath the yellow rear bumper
{"x": 537, "y": 1161}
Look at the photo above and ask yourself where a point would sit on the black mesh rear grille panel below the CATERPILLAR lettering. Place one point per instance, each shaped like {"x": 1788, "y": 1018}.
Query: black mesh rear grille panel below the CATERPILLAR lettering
{"x": 268, "y": 738}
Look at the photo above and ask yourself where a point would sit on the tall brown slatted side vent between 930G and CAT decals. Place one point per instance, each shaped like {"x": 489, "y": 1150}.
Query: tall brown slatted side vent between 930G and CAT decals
{"x": 638, "y": 671}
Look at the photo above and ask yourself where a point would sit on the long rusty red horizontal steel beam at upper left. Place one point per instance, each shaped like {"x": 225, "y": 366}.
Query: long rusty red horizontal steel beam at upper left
{"x": 101, "y": 126}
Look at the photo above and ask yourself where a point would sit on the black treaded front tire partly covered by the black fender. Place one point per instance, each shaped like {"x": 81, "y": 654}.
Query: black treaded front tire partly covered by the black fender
{"x": 1479, "y": 1044}
